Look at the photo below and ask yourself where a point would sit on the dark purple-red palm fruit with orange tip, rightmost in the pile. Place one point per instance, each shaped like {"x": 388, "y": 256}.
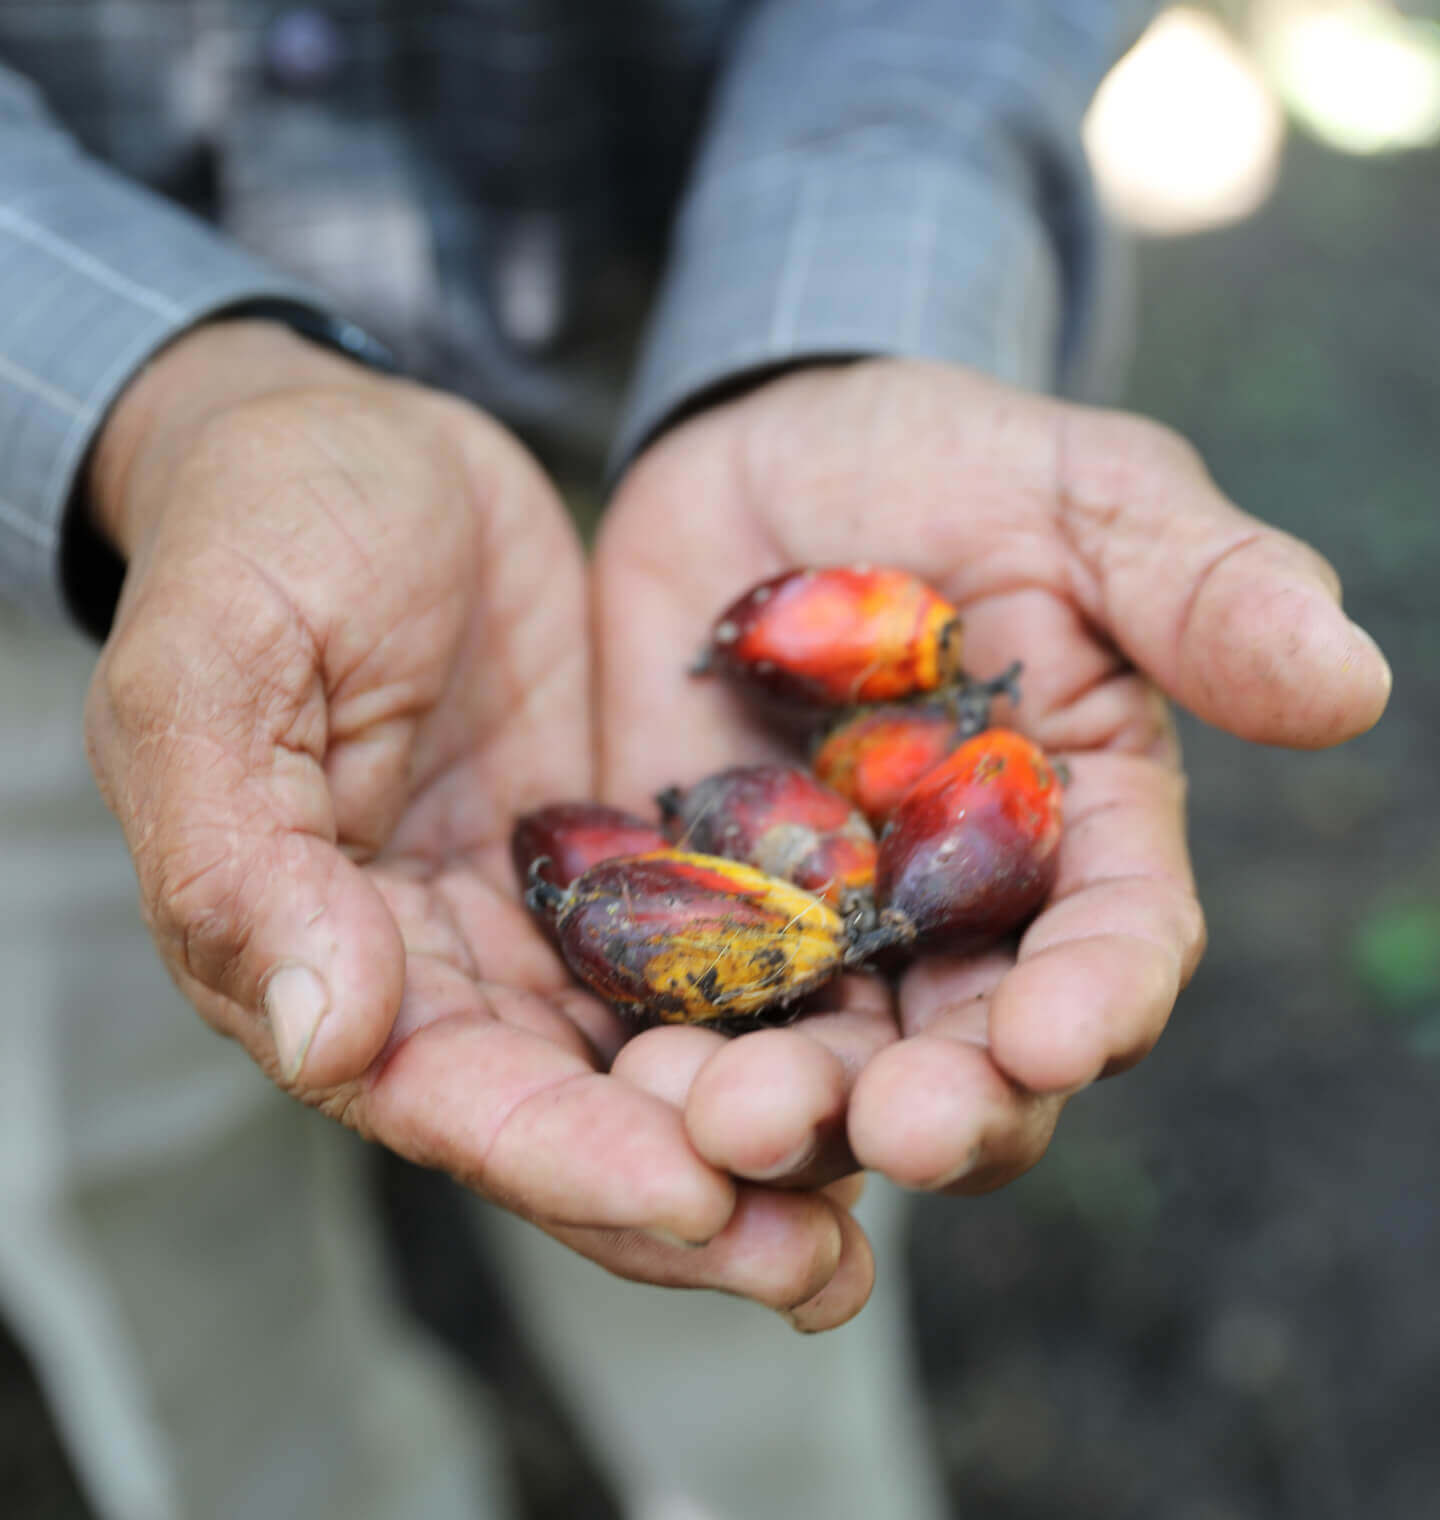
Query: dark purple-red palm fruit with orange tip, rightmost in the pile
{"x": 971, "y": 852}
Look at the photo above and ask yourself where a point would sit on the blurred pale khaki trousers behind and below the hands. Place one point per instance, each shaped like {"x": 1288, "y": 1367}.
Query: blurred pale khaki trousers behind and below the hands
{"x": 192, "y": 1262}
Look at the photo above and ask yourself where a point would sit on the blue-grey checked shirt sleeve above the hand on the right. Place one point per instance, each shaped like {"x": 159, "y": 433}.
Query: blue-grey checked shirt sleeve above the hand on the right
{"x": 887, "y": 177}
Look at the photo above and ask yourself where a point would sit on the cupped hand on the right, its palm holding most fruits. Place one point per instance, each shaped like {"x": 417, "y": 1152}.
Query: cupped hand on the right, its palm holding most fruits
{"x": 1091, "y": 546}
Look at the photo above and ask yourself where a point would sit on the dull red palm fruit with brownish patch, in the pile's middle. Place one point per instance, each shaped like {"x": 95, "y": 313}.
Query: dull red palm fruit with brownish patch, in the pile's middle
{"x": 781, "y": 820}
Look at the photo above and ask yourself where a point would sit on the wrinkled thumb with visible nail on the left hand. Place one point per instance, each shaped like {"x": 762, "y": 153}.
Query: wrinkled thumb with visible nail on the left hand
{"x": 208, "y": 732}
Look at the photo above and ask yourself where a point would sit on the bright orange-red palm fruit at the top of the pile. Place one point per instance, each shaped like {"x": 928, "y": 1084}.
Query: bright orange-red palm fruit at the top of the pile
{"x": 837, "y": 638}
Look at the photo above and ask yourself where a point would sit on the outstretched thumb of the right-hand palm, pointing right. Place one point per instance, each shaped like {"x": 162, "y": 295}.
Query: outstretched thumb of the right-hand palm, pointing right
{"x": 1237, "y": 621}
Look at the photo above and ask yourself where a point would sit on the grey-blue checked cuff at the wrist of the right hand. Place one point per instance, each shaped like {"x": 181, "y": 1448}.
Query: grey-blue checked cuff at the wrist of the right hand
{"x": 814, "y": 256}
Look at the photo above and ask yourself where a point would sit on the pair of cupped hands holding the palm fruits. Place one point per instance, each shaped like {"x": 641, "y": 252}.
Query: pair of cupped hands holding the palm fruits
{"x": 358, "y": 636}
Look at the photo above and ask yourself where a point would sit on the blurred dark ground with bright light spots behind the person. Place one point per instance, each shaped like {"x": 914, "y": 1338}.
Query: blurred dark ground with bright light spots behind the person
{"x": 1217, "y": 1297}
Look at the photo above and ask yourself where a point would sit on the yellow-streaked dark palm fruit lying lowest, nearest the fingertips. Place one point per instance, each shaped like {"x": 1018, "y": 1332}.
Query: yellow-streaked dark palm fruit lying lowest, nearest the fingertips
{"x": 676, "y": 937}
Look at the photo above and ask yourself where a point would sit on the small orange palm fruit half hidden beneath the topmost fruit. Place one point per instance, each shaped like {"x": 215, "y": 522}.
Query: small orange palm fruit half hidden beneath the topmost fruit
{"x": 877, "y": 755}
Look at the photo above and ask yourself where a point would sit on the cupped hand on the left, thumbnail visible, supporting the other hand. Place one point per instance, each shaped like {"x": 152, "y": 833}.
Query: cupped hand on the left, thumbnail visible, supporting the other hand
{"x": 352, "y": 647}
